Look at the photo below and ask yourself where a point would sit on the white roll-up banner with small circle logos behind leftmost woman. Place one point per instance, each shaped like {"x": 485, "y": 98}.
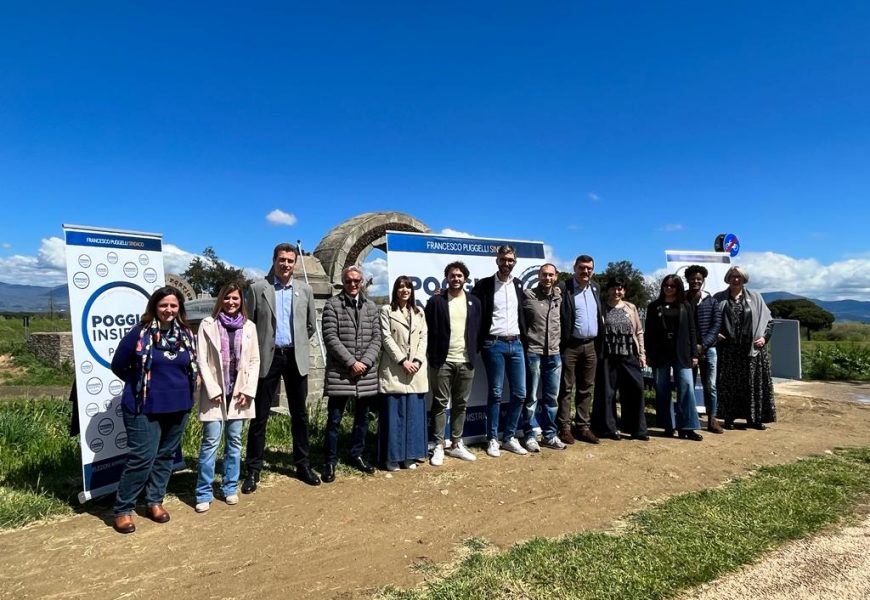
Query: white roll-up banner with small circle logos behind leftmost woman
{"x": 111, "y": 275}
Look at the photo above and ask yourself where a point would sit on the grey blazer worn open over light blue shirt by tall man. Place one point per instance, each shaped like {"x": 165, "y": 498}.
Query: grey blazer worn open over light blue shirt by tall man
{"x": 260, "y": 298}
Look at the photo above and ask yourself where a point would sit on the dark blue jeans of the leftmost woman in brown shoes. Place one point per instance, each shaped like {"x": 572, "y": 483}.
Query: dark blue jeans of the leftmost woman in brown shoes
{"x": 152, "y": 440}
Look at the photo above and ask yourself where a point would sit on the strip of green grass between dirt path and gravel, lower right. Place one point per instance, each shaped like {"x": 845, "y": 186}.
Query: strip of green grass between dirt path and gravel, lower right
{"x": 684, "y": 541}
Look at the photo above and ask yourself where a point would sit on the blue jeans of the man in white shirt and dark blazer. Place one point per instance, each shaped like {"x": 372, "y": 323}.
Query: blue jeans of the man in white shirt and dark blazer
{"x": 499, "y": 356}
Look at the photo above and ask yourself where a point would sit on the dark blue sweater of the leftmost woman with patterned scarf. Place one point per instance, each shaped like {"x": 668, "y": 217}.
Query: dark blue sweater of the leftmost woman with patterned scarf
{"x": 169, "y": 390}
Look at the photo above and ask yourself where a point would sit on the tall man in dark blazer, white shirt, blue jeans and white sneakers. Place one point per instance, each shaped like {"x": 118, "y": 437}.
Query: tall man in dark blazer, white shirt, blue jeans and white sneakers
{"x": 502, "y": 337}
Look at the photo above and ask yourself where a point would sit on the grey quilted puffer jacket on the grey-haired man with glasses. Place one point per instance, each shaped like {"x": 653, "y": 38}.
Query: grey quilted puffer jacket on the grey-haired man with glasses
{"x": 348, "y": 341}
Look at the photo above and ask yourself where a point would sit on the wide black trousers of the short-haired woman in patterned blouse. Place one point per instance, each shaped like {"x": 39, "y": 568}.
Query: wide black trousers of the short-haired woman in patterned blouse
{"x": 622, "y": 374}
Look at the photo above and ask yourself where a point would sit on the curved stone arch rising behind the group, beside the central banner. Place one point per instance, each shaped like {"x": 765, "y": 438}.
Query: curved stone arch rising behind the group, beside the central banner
{"x": 350, "y": 242}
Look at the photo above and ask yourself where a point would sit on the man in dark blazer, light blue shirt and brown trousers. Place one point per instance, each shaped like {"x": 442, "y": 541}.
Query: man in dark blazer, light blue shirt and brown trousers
{"x": 582, "y": 326}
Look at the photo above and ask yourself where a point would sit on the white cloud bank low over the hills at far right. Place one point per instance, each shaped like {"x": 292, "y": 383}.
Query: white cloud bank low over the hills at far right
{"x": 773, "y": 272}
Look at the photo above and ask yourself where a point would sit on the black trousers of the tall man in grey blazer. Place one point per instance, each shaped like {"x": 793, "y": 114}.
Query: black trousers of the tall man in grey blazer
{"x": 296, "y": 385}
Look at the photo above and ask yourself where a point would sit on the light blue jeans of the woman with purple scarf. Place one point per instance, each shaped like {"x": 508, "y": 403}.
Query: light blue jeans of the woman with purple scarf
{"x": 211, "y": 437}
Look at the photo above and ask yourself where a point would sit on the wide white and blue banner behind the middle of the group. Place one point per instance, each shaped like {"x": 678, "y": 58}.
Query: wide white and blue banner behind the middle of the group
{"x": 422, "y": 257}
